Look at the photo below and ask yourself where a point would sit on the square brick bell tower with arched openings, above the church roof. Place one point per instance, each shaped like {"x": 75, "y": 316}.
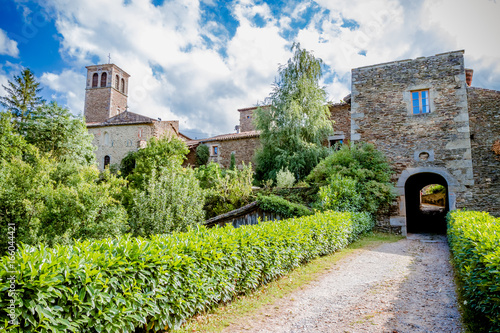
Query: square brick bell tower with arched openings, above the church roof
{"x": 106, "y": 92}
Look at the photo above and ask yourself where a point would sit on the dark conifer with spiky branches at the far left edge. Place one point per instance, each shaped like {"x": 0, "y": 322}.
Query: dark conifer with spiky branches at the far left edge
{"x": 22, "y": 99}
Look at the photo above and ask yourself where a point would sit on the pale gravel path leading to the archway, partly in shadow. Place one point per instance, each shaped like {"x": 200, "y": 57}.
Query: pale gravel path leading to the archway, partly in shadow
{"x": 405, "y": 286}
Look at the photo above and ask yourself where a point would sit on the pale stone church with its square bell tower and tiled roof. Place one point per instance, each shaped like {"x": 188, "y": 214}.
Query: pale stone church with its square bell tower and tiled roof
{"x": 116, "y": 130}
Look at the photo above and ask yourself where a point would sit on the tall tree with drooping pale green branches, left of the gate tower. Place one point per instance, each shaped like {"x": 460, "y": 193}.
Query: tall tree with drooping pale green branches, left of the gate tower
{"x": 296, "y": 122}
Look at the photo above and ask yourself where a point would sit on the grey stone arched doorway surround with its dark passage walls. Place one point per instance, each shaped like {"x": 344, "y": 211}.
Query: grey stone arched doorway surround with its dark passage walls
{"x": 409, "y": 183}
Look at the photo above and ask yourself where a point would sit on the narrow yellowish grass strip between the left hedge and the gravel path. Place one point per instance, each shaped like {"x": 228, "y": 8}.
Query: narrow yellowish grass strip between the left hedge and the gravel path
{"x": 251, "y": 304}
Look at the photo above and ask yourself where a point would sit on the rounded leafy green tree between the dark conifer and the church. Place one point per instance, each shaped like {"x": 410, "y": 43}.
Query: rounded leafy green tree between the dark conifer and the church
{"x": 54, "y": 130}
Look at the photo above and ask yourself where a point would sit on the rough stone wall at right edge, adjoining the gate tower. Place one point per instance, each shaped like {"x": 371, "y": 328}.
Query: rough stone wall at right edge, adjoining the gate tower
{"x": 484, "y": 115}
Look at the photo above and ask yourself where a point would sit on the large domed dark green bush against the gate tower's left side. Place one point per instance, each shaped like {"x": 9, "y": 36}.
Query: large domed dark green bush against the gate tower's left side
{"x": 364, "y": 164}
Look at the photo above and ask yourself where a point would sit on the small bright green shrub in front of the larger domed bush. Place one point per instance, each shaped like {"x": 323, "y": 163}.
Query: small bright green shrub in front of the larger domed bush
{"x": 340, "y": 195}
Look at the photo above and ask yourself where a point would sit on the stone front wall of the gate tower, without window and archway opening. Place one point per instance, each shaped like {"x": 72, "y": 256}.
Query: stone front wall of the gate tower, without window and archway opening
{"x": 437, "y": 142}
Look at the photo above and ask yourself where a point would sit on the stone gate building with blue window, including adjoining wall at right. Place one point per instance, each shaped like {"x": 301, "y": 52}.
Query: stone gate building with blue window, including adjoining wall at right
{"x": 434, "y": 128}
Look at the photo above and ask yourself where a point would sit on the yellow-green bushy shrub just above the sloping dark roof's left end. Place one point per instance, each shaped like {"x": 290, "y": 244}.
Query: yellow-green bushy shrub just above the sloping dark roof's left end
{"x": 226, "y": 190}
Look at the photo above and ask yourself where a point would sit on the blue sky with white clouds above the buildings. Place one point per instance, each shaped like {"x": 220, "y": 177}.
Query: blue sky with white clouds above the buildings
{"x": 199, "y": 61}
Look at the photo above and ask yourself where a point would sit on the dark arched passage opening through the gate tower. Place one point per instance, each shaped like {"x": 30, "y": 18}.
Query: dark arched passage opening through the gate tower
{"x": 422, "y": 217}
